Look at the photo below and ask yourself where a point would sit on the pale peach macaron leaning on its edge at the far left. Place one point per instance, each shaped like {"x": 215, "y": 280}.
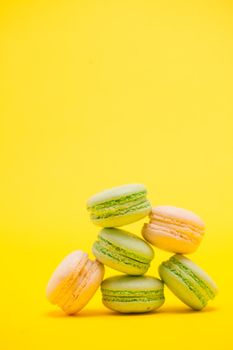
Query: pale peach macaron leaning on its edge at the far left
{"x": 74, "y": 282}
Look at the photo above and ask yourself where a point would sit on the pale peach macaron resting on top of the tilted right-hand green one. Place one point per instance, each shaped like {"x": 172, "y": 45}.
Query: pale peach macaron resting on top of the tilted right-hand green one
{"x": 174, "y": 229}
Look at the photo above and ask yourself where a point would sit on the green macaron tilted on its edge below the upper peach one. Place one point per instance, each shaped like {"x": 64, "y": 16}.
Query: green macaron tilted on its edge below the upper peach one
{"x": 188, "y": 281}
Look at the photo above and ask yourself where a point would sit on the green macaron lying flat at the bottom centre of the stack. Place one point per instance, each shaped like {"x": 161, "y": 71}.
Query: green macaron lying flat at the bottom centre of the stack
{"x": 132, "y": 294}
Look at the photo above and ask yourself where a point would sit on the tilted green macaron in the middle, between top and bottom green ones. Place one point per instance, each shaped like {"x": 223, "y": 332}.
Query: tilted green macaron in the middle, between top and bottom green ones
{"x": 123, "y": 251}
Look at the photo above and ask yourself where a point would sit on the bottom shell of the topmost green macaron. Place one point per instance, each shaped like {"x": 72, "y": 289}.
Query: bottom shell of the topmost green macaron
{"x": 121, "y": 220}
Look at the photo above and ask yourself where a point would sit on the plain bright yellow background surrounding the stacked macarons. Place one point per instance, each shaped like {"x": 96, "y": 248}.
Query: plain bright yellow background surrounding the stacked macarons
{"x": 96, "y": 94}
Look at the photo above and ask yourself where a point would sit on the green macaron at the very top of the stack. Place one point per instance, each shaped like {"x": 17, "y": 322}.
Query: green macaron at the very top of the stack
{"x": 119, "y": 206}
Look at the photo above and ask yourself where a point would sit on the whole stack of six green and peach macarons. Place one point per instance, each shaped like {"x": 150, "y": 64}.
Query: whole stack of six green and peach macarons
{"x": 172, "y": 229}
